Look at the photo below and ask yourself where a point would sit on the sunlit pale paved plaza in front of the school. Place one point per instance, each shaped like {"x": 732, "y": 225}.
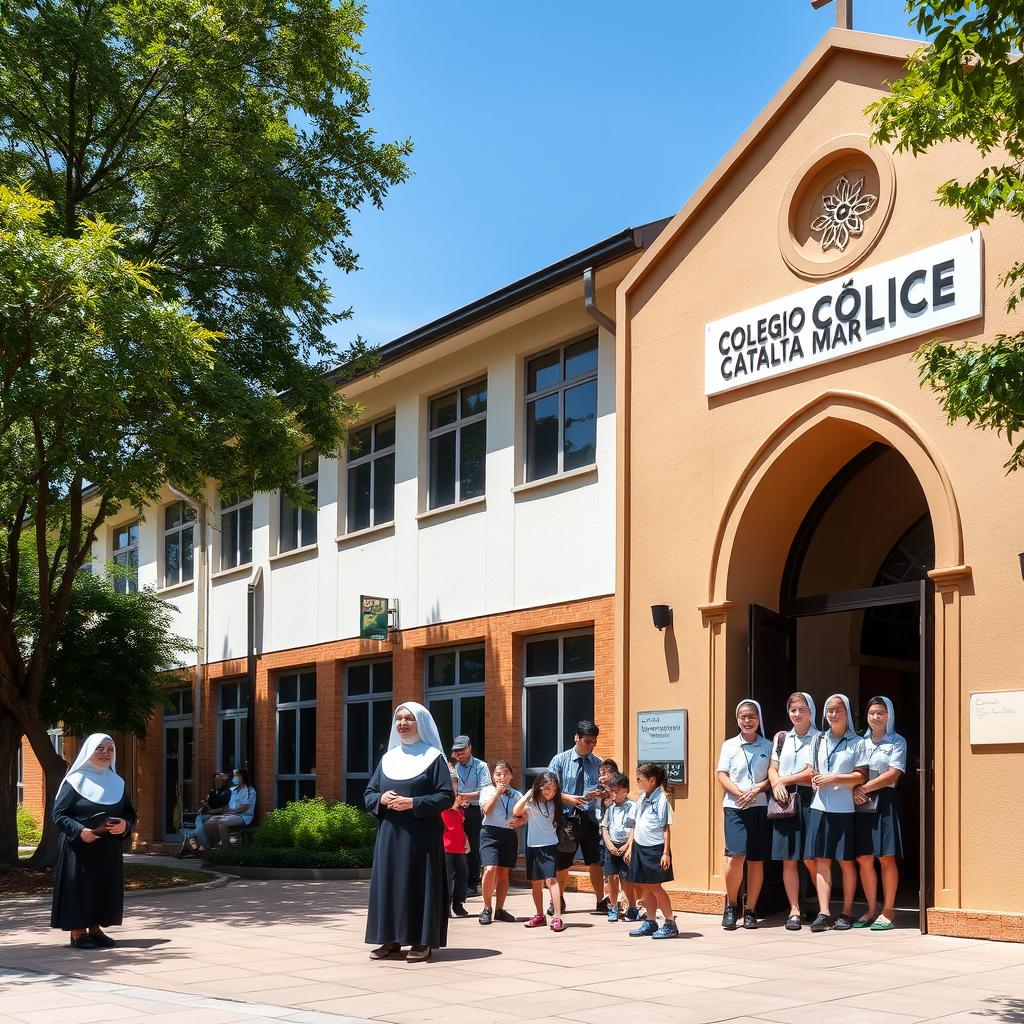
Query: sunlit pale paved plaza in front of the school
{"x": 294, "y": 952}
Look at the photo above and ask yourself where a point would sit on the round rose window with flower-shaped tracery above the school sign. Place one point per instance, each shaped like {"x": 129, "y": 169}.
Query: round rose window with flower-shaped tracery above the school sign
{"x": 837, "y": 207}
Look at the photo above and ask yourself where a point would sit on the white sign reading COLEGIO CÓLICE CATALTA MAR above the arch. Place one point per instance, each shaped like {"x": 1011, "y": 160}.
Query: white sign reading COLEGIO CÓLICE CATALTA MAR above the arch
{"x": 916, "y": 294}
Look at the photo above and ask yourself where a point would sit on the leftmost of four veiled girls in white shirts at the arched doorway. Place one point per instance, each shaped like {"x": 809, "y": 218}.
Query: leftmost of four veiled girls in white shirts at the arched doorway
{"x": 743, "y": 774}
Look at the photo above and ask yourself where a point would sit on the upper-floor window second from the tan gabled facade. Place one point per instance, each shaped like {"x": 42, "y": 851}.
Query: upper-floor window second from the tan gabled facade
{"x": 458, "y": 445}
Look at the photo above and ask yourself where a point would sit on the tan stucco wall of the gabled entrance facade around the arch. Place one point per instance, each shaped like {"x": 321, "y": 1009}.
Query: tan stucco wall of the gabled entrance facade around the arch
{"x": 687, "y": 454}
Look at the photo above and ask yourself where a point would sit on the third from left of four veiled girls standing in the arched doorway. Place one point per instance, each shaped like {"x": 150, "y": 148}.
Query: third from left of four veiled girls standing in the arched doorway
{"x": 839, "y": 764}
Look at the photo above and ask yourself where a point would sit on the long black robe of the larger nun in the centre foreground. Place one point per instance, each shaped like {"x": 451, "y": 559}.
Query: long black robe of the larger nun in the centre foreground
{"x": 409, "y": 901}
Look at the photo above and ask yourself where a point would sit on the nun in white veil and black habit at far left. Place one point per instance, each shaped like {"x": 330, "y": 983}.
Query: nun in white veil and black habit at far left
{"x": 95, "y": 818}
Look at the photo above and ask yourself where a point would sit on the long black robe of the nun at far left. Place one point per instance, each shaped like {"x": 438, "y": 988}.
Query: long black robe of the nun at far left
{"x": 89, "y": 880}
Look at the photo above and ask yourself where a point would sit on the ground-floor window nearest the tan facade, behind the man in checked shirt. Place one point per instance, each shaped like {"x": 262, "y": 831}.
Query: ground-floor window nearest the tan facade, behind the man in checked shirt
{"x": 559, "y": 691}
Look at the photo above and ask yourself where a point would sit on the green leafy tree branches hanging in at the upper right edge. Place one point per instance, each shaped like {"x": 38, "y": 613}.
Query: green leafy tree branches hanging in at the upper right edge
{"x": 969, "y": 84}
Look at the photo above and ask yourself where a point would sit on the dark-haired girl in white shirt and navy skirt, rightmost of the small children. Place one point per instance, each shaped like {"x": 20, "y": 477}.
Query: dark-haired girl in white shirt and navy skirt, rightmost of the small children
{"x": 648, "y": 852}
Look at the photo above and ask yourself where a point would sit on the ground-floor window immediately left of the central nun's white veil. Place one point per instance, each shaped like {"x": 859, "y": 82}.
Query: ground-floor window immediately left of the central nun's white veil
{"x": 368, "y": 723}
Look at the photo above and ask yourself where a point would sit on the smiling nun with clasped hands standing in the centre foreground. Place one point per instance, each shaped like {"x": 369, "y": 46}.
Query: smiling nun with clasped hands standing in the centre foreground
{"x": 409, "y": 902}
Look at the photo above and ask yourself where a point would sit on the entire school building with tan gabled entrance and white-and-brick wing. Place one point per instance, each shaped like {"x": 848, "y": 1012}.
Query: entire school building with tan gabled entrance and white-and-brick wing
{"x": 715, "y": 420}
